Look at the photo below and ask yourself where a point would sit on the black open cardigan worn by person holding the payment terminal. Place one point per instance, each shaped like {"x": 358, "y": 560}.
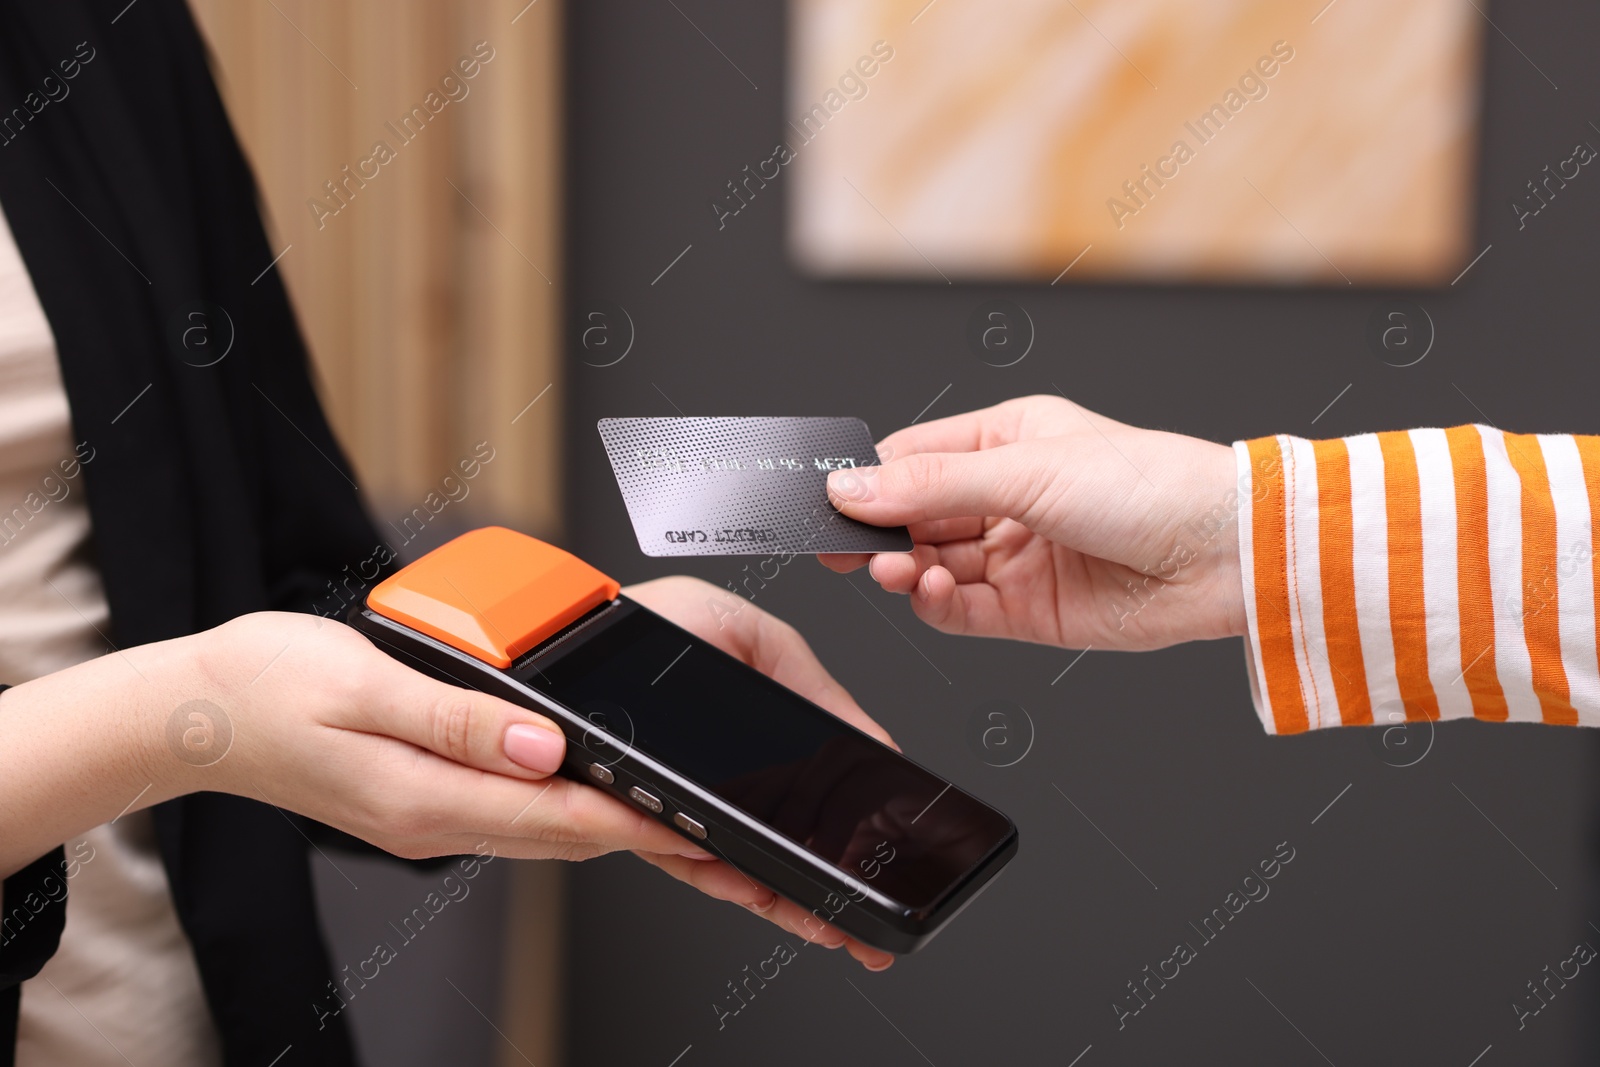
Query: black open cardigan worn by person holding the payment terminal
{"x": 214, "y": 490}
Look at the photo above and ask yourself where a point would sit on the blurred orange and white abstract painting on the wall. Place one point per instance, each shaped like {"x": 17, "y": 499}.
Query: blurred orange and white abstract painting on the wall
{"x": 1254, "y": 142}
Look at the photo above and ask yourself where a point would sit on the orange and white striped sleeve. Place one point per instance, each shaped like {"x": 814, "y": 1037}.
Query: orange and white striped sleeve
{"x": 1422, "y": 575}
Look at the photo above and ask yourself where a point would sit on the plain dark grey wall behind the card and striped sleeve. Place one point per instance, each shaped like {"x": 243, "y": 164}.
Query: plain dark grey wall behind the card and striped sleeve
{"x": 1407, "y": 922}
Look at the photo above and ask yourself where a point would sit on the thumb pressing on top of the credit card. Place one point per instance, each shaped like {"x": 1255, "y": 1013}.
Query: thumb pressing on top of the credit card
{"x": 1006, "y": 482}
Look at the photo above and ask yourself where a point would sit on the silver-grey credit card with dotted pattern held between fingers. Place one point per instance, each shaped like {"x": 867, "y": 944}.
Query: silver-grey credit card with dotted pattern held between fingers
{"x": 742, "y": 486}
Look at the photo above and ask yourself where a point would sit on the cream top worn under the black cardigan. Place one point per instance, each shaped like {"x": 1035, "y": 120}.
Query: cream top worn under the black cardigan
{"x": 124, "y": 986}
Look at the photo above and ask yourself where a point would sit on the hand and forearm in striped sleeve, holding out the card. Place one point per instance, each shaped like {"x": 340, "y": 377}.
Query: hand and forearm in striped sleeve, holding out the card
{"x": 1377, "y": 578}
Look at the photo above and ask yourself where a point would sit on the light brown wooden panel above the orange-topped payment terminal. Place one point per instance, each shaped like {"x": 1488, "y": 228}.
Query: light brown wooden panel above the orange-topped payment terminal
{"x": 426, "y": 284}
